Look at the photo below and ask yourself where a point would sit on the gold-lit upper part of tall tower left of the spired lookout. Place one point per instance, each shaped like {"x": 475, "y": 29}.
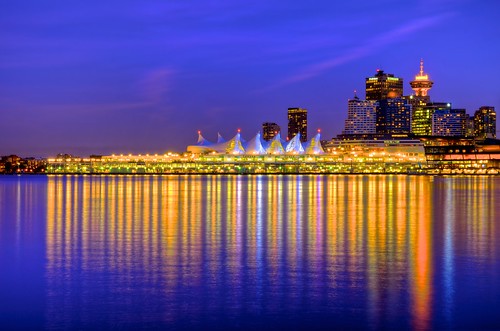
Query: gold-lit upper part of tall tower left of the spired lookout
{"x": 383, "y": 86}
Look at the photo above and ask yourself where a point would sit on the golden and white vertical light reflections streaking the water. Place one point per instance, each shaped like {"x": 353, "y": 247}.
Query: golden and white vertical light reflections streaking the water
{"x": 298, "y": 240}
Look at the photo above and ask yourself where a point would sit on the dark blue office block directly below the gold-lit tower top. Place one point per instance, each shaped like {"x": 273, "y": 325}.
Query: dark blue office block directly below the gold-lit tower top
{"x": 393, "y": 116}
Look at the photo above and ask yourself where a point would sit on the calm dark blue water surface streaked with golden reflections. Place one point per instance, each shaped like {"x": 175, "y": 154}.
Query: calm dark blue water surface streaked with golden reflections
{"x": 249, "y": 252}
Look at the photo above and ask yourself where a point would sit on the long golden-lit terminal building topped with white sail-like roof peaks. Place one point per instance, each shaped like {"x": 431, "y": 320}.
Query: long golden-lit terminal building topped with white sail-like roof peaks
{"x": 257, "y": 156}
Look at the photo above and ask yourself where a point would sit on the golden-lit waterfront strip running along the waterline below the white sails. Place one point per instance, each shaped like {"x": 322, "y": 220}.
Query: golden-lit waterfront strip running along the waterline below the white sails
{"x": 270, "y": 164}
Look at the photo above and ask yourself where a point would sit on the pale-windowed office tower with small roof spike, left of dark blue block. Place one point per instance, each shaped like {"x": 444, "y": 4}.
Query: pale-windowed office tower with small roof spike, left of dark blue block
{"x": 361, "y": 116}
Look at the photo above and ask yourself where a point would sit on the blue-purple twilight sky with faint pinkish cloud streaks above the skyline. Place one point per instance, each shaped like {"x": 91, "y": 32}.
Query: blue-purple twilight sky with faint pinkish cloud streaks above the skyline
{"x": 103, "y": 77}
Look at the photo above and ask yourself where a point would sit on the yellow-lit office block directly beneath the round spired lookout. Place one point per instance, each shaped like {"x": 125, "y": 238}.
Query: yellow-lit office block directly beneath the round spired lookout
{"x": 421, "y": 122}
